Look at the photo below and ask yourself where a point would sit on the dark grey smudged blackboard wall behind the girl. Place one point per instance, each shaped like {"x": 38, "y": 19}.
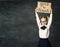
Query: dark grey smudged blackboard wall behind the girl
{"x": 18, "y": 27}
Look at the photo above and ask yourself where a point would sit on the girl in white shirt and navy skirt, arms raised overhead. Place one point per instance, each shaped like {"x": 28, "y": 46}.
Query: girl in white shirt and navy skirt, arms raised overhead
{"x": 43, "y": 25}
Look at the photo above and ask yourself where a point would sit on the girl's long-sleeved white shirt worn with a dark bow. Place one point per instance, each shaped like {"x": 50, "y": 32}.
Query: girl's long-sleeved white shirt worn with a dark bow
{"x": 43, "y": 33}
